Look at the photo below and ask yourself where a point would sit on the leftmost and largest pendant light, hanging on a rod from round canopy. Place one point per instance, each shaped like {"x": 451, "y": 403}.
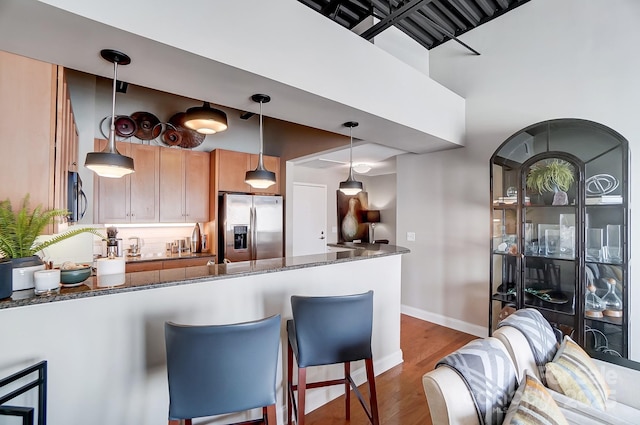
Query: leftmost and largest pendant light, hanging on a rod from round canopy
{"x": 109, "y": 162}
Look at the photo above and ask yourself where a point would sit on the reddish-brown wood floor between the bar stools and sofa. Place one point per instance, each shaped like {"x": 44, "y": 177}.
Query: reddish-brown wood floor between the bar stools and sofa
{"x": 401, "y": 399}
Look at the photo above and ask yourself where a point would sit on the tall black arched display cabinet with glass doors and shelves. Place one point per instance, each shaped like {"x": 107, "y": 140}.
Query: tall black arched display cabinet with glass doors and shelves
{"x": 559, "y": 231}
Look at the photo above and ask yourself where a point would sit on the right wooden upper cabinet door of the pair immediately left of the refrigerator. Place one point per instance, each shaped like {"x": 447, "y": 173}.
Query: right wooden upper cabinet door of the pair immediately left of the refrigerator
{"x": 196, "y": 165}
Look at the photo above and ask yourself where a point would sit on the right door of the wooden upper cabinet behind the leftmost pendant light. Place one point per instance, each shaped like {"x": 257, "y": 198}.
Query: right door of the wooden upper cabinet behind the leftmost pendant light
{"x": 145, "y": 184}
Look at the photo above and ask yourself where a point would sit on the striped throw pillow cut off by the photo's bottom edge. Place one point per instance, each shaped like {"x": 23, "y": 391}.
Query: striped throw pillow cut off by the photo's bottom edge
{"x": 533, "y": 405}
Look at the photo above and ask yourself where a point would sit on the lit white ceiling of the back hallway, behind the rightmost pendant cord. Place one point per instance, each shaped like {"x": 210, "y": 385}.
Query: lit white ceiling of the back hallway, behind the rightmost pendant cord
{"x": 379, "y": 159}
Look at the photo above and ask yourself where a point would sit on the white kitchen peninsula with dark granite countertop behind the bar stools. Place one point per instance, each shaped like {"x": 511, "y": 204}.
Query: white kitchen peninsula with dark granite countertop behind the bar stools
{"x": 105, "y": 346}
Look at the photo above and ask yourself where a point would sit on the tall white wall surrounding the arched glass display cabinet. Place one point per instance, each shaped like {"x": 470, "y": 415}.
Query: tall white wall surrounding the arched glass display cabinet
{"x": 546, "y": 59}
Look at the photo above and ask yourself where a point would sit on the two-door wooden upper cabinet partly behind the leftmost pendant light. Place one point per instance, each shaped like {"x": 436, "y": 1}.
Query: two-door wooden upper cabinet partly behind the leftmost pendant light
{"x": 133, "y": 198}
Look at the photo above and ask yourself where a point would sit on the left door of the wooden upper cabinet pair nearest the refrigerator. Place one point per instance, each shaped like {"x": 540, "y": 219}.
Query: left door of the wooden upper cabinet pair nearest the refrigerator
{"x": 171, "y": 186}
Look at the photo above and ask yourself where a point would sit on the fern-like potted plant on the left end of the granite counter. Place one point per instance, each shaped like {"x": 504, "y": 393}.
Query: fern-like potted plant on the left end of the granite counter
{"x": 19, "y": 230}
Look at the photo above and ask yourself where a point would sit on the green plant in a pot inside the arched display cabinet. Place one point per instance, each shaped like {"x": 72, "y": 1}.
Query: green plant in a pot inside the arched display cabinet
{"x": 554, "y": 175}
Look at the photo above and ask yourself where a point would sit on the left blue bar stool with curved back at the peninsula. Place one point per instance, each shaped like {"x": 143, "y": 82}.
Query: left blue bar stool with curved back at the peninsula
{"x": 219, "y": 369}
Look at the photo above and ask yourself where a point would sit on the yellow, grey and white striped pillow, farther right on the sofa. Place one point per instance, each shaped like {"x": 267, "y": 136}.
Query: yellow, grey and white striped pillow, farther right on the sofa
{"x": 573, "y": 373}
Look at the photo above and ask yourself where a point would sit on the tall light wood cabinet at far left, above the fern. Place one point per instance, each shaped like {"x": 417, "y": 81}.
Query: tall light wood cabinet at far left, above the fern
{"x": 38, "y": 136}
